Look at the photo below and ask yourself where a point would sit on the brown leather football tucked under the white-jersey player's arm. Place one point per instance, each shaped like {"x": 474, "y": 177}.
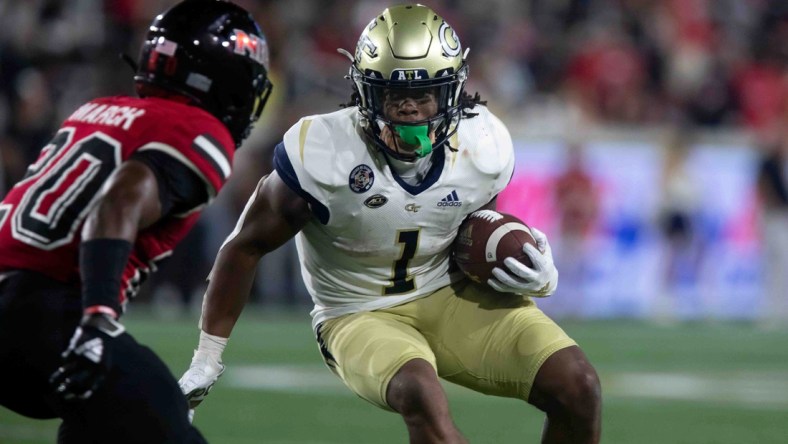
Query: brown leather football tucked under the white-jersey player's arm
{"x": 485, "y": 238}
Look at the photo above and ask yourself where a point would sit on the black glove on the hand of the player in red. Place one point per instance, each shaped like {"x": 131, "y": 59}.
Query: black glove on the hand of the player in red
{"x": 88, "y": 358}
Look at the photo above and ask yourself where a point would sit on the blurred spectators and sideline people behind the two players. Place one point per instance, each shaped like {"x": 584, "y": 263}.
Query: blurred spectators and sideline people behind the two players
{"x": 675, "y": 73}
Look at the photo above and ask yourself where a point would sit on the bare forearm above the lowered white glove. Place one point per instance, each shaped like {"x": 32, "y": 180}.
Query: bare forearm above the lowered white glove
{"x": 228, "y": 290}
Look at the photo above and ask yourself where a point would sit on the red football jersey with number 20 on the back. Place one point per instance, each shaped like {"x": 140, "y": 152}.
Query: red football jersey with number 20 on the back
{"x": 42, "y": 215}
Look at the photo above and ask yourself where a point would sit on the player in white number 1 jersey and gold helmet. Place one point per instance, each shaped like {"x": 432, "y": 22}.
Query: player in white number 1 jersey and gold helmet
{"x": 374, "y": 194}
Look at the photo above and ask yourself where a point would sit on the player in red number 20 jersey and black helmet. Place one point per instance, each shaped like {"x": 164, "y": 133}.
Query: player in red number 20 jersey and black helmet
{"x": 118, "y": 186}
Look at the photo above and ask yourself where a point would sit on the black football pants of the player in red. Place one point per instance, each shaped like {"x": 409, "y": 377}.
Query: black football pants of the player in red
{"x": 139, "y": 402}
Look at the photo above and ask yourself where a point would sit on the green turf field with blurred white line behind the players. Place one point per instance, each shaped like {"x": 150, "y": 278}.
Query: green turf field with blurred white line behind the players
{"x": 688, "y": 383}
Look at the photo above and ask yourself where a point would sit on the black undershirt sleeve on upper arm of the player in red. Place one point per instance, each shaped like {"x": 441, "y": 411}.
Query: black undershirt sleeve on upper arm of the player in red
{"x": 180, "y": 188}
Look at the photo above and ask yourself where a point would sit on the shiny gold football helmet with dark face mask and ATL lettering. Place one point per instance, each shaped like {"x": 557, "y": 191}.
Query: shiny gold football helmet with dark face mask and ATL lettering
{"x": 409, "y": 50}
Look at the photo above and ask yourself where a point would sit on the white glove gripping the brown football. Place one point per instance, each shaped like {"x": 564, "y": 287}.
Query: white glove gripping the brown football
{"x": 539, "y": 281}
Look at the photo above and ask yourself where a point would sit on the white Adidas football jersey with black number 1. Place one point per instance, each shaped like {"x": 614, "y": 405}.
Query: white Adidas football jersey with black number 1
{"x": 376, "y": 241}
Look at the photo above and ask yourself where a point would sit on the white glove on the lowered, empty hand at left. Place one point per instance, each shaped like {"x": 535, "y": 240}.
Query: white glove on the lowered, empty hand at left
{"x": 204, "y": 371}
